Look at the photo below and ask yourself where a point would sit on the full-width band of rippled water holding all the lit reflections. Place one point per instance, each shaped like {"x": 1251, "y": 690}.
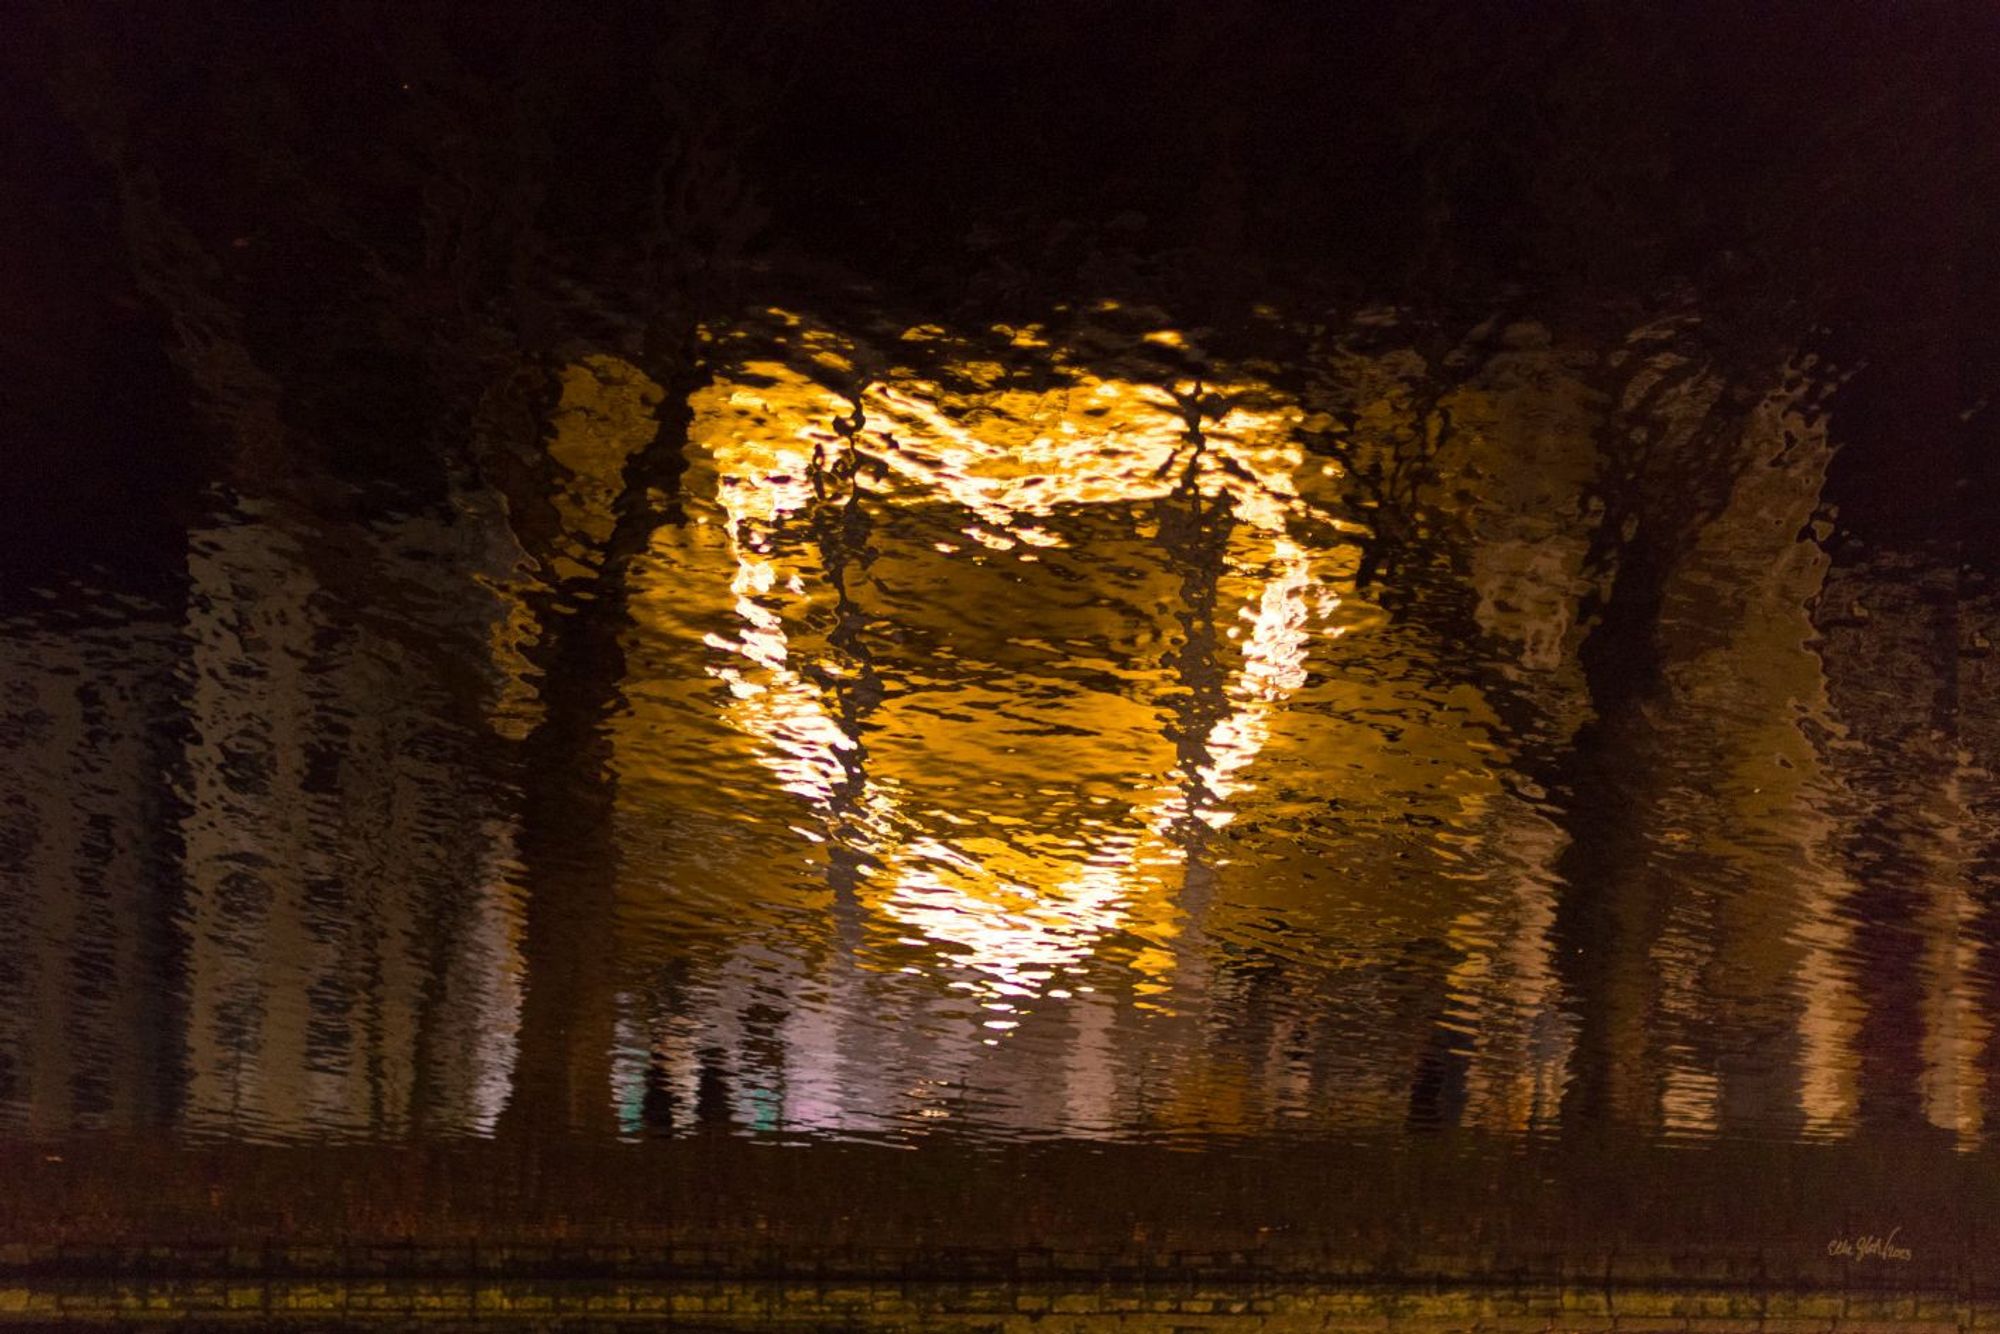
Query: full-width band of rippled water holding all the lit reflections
{"x": 1011, "y": 733}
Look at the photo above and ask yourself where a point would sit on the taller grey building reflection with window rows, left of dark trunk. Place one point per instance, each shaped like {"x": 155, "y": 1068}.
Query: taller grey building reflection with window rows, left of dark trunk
{"x": 349, "y": 947}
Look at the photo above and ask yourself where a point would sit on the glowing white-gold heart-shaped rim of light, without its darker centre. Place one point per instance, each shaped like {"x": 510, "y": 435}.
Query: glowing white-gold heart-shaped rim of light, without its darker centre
{"x": 1015, "y": 913}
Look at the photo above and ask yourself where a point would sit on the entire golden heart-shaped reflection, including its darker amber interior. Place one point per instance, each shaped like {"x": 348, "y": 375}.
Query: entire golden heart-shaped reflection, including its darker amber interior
{"x": 831, "y": 511}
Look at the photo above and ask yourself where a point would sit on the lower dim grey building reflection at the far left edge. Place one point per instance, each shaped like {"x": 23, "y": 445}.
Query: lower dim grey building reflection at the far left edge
{"x": 85, "y": 873}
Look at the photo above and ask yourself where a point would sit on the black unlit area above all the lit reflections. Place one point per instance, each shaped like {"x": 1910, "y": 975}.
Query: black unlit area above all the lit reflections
{"x": 1825, "y": 171}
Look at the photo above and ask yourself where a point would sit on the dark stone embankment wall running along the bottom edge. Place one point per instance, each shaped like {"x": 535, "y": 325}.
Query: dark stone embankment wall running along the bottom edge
{"x": 1447, "y": 1233}
